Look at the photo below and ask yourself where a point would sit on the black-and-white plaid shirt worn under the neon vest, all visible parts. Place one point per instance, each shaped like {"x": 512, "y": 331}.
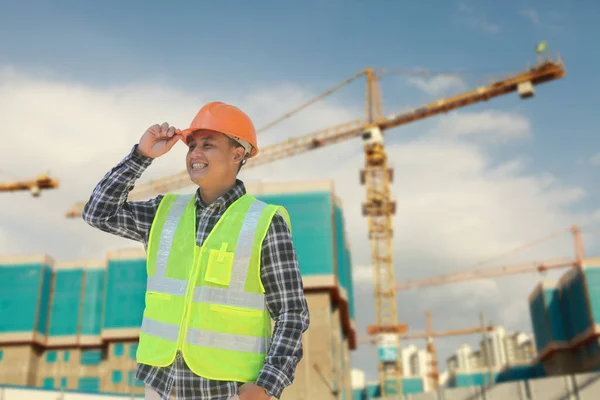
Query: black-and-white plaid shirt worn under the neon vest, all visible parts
{"x": 109, "y": 211}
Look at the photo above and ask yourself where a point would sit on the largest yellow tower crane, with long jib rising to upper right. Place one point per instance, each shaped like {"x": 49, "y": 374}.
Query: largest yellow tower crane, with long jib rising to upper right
{"x": 376, "y": 176}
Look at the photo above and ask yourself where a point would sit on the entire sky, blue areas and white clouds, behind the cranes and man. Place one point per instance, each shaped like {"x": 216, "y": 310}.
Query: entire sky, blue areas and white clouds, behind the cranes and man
{"x": 102, "y": 71}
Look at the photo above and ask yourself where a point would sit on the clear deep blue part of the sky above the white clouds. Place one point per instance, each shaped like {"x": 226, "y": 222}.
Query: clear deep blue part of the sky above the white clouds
{"x": 244, "y": 44}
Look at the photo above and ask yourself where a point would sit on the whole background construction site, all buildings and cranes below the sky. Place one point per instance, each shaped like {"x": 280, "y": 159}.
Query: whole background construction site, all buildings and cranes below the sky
{"x": 70, "y": 328}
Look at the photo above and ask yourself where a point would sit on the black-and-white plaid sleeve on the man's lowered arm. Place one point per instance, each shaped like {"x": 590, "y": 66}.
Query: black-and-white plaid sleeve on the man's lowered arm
{"x": 287, "y": 306}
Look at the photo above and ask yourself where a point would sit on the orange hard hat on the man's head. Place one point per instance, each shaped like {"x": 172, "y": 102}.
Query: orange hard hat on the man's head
{"x": 227, "y": 119}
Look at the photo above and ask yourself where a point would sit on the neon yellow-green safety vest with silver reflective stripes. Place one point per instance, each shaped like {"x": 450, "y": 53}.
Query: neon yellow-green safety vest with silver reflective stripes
{"x": 207, "y": 301}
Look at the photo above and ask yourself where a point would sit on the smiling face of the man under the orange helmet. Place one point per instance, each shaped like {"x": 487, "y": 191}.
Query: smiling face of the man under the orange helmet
{"x": 211, "y": 160}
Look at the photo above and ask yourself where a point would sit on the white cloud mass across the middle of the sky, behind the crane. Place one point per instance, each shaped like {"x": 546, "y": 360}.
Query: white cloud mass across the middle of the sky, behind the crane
{"x": 455, "y": 206}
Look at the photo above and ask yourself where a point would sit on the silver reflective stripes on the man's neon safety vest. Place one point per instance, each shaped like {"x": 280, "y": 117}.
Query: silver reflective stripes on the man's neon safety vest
{"x": 233, "y": 295}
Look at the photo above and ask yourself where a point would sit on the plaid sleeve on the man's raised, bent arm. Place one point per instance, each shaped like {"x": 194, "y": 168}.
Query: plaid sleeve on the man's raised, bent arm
{"x": 108, "y": 209}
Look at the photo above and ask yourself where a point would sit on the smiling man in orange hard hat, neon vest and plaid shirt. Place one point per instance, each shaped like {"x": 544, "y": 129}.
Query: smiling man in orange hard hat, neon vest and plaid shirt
{"x": 221, "y": 265}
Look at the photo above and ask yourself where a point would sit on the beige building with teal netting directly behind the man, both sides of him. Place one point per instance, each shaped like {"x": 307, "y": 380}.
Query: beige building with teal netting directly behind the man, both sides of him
{"x": 75, "y": 324}
